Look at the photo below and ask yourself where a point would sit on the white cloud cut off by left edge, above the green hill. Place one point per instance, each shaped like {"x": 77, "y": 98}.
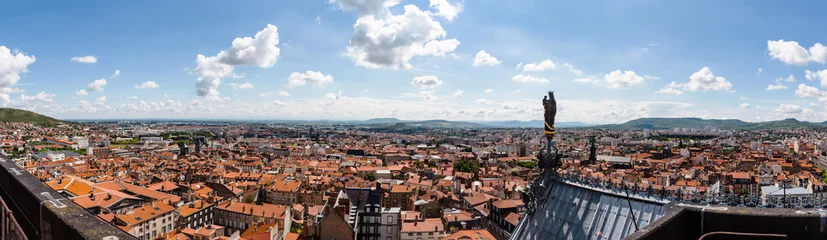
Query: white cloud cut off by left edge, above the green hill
{"x": 12, "y": 64}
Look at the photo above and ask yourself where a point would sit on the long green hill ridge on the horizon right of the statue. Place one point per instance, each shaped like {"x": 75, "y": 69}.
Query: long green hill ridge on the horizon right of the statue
{"x": 669, "y": 123}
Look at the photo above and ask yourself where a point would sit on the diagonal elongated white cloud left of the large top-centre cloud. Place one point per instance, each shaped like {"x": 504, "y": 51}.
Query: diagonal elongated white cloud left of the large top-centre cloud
{"x": 260, "y": 50}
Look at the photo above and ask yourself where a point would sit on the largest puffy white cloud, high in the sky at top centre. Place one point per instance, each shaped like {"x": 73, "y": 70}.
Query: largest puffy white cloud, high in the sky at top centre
{"x": 381, "y": 39}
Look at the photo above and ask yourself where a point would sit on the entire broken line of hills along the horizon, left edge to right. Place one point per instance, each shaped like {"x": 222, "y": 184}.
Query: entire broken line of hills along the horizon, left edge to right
{"x": 18, "y": 115}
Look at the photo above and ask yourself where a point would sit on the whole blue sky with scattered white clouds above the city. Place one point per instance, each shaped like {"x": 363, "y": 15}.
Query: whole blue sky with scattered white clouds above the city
{"x": 358, "y": 59}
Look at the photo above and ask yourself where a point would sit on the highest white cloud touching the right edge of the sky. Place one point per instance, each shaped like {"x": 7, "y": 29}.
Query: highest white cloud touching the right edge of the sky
{"x": 790, "y": 52}
